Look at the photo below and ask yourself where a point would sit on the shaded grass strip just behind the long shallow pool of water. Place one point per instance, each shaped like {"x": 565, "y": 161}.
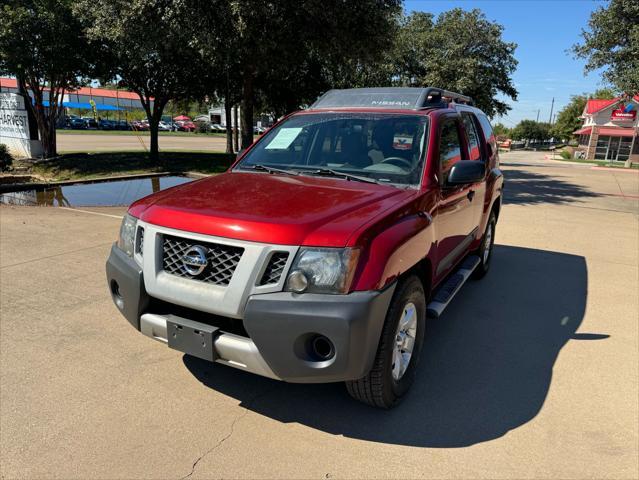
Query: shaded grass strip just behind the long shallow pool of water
{"x": 85, "y": 166}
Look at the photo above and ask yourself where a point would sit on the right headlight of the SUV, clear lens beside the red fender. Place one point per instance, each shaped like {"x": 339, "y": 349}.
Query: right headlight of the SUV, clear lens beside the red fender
{"x": 322, "y": 270}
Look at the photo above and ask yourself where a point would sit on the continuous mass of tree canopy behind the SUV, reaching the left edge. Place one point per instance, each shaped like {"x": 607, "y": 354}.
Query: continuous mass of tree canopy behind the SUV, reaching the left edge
{"x": 271, "y": 56}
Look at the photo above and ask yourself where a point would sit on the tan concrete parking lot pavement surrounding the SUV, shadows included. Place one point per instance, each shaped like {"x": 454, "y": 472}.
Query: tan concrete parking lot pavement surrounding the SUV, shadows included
{"x": 530, "y": 373}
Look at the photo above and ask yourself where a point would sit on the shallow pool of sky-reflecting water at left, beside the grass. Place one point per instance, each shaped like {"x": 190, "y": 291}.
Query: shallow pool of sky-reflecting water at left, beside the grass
{"x": 121, "y": 192}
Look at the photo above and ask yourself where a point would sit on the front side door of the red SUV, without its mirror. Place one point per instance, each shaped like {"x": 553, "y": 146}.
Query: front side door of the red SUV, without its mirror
{"x": 454, "y": 221}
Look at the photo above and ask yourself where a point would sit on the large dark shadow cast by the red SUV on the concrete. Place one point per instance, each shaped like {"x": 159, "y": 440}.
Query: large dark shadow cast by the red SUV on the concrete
{"x": 485, "y": 369}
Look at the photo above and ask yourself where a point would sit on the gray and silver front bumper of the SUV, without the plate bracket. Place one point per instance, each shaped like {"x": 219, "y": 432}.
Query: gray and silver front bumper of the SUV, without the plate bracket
{"x": 280, "y": 327}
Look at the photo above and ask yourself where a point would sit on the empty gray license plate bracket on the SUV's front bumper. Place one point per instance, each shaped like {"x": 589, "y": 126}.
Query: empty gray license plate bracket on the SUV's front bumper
{"x": 190, "y": 337}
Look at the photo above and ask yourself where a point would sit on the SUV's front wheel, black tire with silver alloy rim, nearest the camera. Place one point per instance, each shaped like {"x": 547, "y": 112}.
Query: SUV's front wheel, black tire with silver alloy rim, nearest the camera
{"x": 398, "y": 352}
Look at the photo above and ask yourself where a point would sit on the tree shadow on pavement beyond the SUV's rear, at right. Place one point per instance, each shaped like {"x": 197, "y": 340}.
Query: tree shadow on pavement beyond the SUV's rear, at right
{"x": 528, "y": 188}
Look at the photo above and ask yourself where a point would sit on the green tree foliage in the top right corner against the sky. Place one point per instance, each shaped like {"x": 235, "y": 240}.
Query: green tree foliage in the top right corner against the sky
{"x": 611, "y": 41}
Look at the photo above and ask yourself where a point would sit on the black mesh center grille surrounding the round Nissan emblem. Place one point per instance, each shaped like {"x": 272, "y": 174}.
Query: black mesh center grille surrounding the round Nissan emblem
{"x": 221, "y": 259}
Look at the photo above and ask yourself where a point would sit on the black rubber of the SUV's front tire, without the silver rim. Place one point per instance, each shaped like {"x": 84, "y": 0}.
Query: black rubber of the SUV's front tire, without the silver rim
{"x": 379, "y": 388}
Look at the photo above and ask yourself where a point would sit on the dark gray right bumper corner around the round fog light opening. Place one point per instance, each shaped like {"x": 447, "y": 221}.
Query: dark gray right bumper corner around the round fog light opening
{"x": 281, "y": 324}
